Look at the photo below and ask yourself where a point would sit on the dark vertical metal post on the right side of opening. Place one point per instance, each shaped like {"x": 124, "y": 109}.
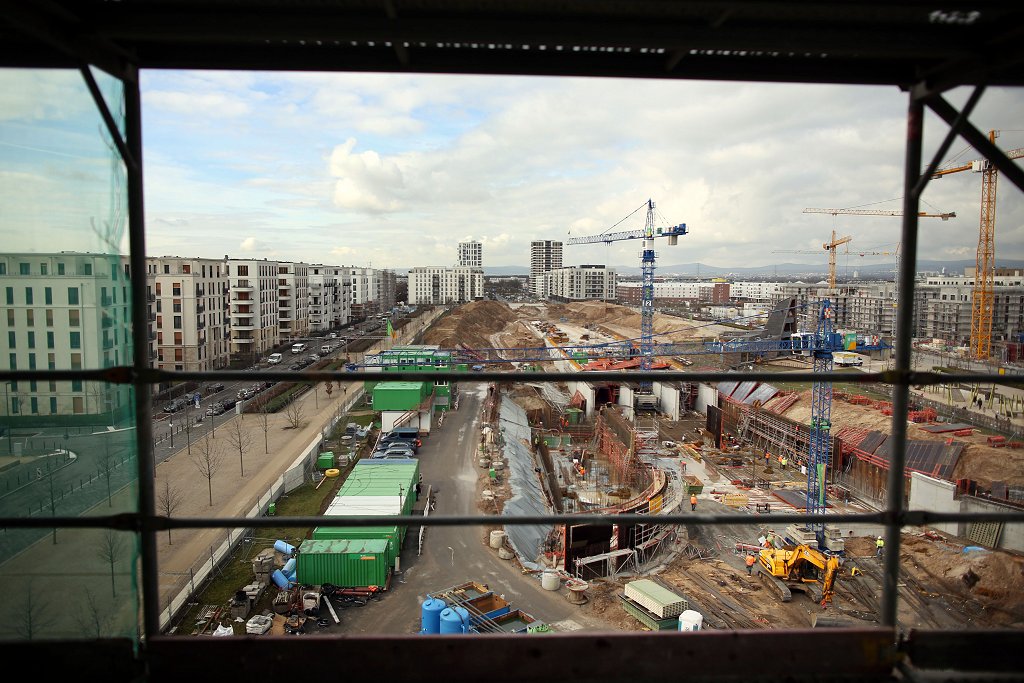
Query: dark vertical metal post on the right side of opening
{"x": 902, "y": 390}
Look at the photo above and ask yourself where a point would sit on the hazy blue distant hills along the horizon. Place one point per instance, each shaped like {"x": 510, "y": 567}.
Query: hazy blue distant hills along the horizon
{"x": 788, "y": 271}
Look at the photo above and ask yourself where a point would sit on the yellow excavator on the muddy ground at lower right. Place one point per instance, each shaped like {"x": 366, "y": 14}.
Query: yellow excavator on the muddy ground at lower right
{"x": 799, "y": 568}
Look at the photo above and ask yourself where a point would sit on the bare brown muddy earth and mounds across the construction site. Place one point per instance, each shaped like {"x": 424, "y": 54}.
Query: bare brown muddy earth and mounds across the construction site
{"x": 945, "y": 583}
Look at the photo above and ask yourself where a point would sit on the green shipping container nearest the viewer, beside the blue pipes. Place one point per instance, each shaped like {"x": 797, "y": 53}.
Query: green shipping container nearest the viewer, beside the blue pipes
{"x": 346, "y": 563}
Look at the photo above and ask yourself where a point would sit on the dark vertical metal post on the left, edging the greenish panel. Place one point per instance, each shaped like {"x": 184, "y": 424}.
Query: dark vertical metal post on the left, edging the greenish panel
{"x": 141, "y": 360}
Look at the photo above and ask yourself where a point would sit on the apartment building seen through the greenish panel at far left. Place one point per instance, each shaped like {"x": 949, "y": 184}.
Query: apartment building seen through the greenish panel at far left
{"x": 65, "y": 312}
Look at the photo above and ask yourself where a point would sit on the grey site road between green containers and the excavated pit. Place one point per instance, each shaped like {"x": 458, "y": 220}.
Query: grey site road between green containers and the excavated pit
{"x": 456, "y": 554}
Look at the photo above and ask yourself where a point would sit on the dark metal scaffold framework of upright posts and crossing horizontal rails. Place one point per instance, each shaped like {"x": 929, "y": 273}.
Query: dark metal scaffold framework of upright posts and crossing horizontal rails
{"x": 147, "y": 524}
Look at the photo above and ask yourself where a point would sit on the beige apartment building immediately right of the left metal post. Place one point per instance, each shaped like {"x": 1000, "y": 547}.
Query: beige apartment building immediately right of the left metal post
{"x": 190, "y": 326}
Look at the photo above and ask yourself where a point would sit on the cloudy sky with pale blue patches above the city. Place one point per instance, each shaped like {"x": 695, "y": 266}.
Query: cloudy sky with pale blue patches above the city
{"x": 392, "y": 172}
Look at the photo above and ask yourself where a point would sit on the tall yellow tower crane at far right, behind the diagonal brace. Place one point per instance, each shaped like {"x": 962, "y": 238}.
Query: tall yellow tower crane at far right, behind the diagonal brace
{"x": 985, "y": 274}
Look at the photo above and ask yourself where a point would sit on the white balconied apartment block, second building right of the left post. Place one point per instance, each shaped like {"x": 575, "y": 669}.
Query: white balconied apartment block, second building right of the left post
{"x": 253, "y": 300}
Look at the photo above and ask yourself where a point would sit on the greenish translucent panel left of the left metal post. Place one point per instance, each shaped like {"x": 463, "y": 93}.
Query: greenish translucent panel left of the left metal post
{"x": 68, "y": 448}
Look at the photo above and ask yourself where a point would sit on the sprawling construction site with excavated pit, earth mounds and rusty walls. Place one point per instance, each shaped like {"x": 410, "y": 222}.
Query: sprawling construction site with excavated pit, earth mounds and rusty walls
{"x": 746, "y": 449}
